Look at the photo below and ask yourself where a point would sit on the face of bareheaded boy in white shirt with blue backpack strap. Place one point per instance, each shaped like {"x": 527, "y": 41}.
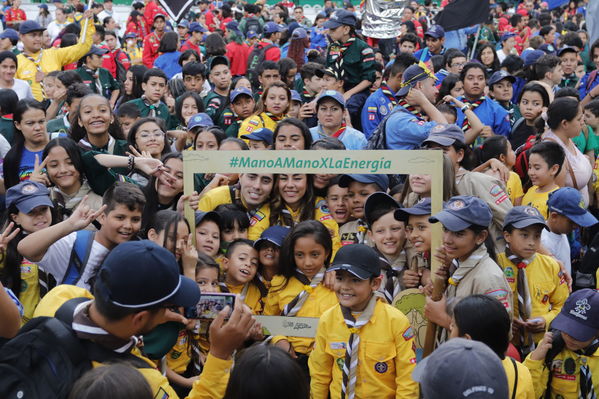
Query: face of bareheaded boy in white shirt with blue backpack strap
{"x": 120, "y": 224}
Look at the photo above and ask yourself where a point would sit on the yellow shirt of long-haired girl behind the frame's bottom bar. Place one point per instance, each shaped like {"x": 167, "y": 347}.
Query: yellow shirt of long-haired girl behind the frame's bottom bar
{"x": 320, "y": 299}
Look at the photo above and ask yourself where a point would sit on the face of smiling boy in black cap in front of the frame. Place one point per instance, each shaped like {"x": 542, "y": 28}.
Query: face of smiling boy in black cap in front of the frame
{"x": 353, "y": 292}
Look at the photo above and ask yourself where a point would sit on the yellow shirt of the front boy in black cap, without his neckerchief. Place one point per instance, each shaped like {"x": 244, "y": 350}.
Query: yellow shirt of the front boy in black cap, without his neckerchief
{"x": 386, "y": 356}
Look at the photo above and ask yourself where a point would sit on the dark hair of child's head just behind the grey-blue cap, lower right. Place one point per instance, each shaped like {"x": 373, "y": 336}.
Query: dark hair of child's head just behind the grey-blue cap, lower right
{"x": 484, "y": 319}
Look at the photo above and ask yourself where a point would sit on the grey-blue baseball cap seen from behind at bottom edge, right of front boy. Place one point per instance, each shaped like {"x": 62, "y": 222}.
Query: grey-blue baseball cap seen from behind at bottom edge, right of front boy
{"x": 462, "y": 368}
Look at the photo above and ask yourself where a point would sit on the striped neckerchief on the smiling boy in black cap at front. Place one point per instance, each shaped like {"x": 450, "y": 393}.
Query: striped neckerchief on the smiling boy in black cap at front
{"x": 350, "y": 367}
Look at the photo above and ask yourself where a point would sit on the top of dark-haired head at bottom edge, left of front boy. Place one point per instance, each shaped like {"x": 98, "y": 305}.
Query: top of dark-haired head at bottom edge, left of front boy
{"x": 266, "y": 372}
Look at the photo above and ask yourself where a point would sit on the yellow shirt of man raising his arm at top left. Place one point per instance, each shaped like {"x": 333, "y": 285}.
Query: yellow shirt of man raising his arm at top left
{"x": 52, "y": 59}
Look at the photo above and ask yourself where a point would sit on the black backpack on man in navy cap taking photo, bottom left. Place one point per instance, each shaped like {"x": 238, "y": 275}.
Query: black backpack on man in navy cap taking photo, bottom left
{"x": 46, "y": 358}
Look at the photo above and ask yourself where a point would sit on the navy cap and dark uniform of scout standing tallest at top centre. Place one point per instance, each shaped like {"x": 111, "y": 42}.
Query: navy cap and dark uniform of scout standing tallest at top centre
{"x": 353, "y": 59}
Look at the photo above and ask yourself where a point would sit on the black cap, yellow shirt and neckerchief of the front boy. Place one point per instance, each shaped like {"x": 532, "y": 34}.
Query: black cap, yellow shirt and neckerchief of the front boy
{"x": 384, "y": 358}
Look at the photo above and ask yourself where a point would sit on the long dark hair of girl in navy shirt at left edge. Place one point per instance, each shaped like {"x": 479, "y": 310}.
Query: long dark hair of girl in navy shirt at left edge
{"x": 12, "y": 160}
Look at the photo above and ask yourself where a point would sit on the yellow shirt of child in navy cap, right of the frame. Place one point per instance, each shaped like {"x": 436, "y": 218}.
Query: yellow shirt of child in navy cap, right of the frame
{"x": 547, "y": 287}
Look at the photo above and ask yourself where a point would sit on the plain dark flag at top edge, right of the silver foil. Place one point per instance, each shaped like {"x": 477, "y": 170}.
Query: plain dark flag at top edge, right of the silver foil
{"x": 463, "y": 13}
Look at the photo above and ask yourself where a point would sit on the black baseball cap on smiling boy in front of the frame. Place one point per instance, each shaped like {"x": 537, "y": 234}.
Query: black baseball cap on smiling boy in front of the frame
{"x": 358, "y": 259}
